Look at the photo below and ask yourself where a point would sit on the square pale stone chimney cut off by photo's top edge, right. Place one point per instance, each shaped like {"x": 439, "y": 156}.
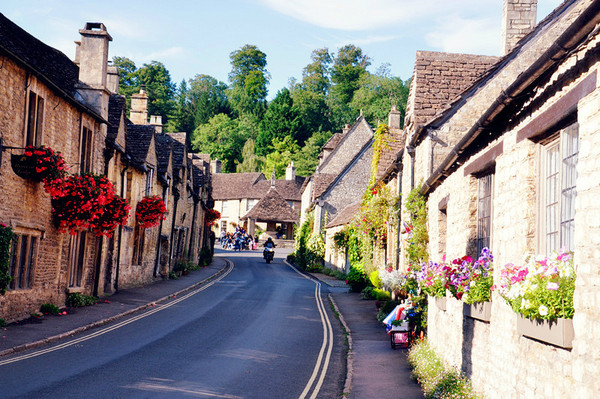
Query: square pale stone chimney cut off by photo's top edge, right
{"x": 518, "y": 19}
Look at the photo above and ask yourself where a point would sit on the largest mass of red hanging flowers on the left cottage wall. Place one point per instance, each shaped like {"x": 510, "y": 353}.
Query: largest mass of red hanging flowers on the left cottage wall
{"x": 88, "y": 201}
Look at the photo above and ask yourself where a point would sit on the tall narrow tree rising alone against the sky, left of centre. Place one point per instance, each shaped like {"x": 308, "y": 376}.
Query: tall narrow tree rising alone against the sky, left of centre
{"x": 248, "y": 80}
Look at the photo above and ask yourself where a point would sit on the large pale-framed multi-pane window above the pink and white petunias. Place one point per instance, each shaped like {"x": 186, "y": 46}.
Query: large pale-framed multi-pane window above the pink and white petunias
{"x": 558, "y": 191}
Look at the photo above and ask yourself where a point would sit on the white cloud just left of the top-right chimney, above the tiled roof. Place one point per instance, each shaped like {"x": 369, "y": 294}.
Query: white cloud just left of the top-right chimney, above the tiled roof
{"x": 473, "y": 36}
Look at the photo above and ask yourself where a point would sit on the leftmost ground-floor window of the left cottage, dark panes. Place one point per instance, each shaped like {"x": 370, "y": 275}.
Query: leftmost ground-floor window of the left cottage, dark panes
{"x": 22, "y": 261}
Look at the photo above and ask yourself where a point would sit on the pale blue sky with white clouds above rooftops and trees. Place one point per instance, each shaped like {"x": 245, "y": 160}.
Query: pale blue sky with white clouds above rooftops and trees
{"x": 196, "y": 36}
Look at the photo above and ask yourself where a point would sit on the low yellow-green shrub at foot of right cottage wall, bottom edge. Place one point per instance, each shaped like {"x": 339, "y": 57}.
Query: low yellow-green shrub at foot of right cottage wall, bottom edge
{"x": 436, "y": 379}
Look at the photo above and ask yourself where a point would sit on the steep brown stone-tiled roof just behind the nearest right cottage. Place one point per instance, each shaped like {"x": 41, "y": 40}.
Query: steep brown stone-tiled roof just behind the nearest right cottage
{"x": 438, "y": 78}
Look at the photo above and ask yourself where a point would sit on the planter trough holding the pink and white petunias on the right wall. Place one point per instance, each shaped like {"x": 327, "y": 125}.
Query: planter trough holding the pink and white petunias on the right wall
{"x": 559, "y": 332}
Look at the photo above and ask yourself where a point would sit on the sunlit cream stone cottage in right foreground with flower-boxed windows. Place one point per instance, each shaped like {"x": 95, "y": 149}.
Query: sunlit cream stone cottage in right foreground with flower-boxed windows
{"x": 511, "y": 164}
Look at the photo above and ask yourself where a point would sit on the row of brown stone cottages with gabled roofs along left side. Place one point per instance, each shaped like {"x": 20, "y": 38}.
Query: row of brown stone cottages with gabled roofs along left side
{"x": 74, "y": 108}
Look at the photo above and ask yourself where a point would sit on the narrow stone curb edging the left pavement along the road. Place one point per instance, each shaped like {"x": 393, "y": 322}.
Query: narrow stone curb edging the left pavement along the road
{"x": 102, "y": 322}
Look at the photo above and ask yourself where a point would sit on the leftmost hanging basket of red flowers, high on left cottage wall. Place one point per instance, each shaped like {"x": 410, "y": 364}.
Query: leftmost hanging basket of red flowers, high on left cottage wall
{"x": 39, "y": 164}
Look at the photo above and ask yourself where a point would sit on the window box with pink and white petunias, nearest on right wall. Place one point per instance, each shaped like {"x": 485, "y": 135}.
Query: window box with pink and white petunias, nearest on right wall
{"x": 541, "y": 293}
